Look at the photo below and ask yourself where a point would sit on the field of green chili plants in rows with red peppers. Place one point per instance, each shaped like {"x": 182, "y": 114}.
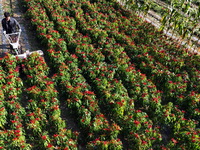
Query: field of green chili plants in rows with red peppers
{"x": 125, "y": 84}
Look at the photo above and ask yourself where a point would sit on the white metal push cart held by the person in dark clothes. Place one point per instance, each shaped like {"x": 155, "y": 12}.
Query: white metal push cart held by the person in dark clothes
{"x": 16, "y": 48}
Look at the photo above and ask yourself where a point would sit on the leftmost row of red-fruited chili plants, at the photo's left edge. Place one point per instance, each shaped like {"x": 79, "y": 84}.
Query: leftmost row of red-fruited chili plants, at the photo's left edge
{"x": 13, "y": 134}
